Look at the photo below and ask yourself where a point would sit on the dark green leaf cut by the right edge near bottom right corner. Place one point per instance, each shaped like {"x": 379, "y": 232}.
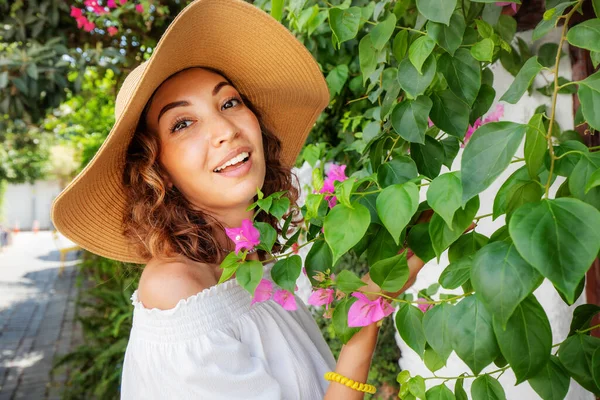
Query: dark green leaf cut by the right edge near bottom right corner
{"x": 576, "y": 354}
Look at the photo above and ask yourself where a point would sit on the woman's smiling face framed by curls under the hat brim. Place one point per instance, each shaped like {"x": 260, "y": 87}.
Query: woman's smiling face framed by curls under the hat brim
{"x": 211, "y": 143}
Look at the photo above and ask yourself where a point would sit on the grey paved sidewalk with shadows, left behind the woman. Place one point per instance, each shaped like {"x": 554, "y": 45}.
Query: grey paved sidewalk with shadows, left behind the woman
{"x": 36, "y": 316}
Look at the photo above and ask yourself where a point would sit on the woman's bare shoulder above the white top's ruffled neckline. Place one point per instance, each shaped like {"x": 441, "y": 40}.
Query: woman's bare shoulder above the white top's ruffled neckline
{"x": 164, "y": 283}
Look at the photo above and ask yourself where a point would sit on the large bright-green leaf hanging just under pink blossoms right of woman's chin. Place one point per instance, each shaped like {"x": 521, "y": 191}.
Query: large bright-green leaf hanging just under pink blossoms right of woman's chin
{"x": 344, "y": 227}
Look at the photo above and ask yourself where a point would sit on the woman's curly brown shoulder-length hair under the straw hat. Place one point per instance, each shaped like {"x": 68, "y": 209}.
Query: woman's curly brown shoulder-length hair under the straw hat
{"x": 160, "y": 221}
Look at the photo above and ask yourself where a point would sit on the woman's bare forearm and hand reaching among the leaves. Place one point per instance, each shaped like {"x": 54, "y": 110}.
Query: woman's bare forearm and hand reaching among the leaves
{"x": 354, "y": 360}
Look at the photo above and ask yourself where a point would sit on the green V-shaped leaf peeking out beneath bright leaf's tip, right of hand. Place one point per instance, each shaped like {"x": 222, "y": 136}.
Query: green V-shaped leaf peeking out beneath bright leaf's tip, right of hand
{"x": 442, "y": 235}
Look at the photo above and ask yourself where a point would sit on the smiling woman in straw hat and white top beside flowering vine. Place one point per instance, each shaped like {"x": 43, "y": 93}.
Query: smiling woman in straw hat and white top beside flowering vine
{"x": 198, "y": 129}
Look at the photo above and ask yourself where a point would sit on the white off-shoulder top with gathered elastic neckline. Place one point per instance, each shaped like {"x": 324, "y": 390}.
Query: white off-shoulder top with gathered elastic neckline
{"x": 215, "y": 345}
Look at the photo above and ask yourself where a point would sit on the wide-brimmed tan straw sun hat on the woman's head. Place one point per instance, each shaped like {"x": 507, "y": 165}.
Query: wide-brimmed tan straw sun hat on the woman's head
{"x": 263, "y": 60}
